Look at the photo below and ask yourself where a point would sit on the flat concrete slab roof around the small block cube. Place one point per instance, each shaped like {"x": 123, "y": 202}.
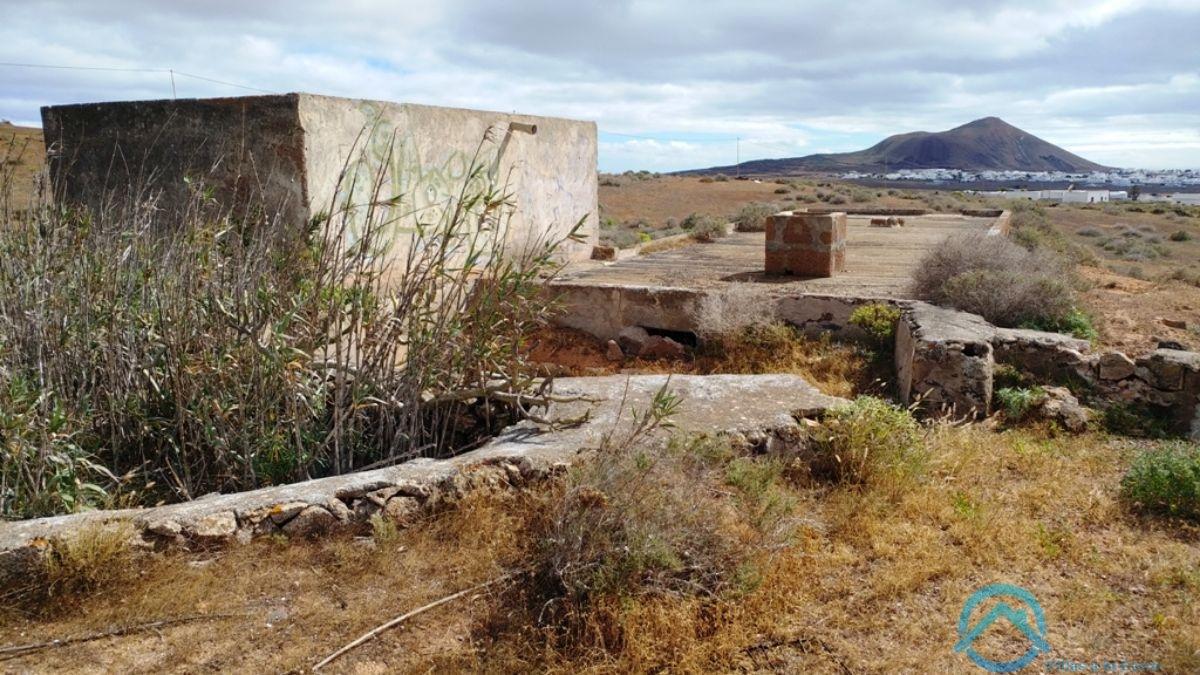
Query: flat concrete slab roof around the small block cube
{"x": 665, "y": 290}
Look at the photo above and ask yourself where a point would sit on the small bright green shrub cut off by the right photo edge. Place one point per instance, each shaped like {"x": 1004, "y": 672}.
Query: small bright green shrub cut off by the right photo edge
{"x": 1166, "y": 481}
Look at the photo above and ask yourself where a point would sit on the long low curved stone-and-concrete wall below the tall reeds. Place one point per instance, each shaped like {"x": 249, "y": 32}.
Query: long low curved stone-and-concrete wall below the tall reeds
{"x": 752, "y": 409}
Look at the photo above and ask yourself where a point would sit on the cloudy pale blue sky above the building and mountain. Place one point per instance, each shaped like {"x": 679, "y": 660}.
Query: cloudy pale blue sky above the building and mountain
{"x": 673, "y": 85}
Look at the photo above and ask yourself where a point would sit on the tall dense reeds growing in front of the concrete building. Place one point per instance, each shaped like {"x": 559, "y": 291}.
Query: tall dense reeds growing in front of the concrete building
{"x": 224, "y": 350}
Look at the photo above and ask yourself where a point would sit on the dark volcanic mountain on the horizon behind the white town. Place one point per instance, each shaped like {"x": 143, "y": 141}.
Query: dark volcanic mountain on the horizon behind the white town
{"x": 988, "y": 144}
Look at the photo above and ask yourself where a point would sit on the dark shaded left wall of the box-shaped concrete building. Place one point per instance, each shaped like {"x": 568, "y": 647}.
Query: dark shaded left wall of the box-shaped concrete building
{"x": 101, "y": 156}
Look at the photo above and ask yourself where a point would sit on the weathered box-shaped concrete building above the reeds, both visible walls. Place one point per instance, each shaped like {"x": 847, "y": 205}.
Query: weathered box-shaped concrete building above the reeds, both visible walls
{"x": 287, "y": 154}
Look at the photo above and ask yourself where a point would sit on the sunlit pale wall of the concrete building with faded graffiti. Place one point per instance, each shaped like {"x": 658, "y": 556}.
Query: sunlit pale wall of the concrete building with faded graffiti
{"x": 425, "y": 154}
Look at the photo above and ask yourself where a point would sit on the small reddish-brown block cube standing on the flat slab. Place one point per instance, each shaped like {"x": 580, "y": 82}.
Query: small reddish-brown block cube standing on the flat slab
{"x": 811, "y": 246}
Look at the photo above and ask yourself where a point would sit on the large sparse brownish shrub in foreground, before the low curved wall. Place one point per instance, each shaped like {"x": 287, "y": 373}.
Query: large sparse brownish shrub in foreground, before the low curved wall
{"x": 693, "y": 519}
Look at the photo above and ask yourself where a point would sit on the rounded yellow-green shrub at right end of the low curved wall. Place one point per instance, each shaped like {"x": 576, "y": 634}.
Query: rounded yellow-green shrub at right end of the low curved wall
{"x": 871, "y": 441}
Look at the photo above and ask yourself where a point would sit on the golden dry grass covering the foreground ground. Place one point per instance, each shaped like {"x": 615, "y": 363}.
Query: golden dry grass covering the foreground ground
{"x": 871, "y": 582}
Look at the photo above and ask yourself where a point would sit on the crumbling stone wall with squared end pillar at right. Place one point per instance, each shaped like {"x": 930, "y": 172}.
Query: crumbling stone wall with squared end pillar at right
{"x": 946, "y": 360}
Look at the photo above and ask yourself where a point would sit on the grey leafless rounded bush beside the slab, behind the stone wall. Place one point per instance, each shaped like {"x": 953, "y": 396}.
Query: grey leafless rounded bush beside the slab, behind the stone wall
{"x": 997, "y": 279}
